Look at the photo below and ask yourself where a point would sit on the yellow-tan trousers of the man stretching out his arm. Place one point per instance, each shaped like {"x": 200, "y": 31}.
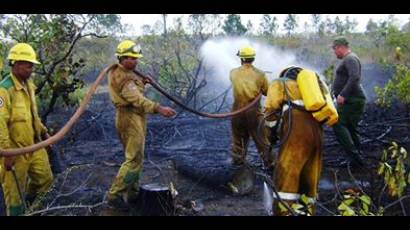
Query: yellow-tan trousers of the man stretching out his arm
{"x": 131, "y": 128}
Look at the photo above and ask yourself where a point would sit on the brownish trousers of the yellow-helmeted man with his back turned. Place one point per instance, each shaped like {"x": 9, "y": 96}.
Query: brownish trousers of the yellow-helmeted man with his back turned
{"x": 245, "y": 126}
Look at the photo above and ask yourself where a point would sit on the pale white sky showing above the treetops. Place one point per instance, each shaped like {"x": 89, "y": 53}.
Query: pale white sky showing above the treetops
{"x": 136, "y": 21}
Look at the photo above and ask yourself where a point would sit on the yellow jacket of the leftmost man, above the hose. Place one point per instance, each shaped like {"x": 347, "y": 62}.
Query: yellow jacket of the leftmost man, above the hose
{"x": 20, "y": 124}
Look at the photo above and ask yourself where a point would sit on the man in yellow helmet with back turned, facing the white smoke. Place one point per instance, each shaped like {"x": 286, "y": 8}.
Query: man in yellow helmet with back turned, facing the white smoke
{"x": 247, "y": 83}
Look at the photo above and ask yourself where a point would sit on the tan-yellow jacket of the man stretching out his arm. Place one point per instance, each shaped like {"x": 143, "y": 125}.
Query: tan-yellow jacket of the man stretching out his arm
{"x": 127, "y": 90}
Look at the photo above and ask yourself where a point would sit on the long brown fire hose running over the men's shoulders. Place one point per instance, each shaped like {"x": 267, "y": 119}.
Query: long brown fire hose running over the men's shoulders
{"x": 63, "y": 131}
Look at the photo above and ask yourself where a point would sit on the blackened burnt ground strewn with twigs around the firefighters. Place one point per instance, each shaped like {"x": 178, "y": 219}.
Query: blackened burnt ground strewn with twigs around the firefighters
{"x": 193, "y": 154}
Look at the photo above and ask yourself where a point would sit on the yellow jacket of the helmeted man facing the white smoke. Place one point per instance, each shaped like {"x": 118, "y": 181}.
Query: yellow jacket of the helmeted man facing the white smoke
{"x": 247, "y": 83}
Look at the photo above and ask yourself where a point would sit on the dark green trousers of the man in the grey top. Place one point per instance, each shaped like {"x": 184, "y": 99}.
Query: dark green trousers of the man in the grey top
{"x": 345, "y": 130}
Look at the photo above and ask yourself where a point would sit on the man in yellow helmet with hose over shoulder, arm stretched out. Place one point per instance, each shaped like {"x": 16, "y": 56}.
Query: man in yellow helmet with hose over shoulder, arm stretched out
{"x": 127, "y": 94}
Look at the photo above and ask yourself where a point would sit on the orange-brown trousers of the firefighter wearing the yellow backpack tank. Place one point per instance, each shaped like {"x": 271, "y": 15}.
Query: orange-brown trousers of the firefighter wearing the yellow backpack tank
{"x": 299, "y": 162}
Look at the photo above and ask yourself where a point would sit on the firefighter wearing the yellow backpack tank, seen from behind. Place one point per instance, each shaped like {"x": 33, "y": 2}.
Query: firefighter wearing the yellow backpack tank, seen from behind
{"x": 298, "y": 164}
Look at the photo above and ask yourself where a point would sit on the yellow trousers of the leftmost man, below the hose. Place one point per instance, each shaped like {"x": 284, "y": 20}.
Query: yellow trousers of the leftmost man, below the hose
{"x": 36, "y": 168}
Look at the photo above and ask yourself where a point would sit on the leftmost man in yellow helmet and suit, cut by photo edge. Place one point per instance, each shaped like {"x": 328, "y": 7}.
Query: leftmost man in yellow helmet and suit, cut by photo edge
{"x": 21, "y": 126}
